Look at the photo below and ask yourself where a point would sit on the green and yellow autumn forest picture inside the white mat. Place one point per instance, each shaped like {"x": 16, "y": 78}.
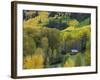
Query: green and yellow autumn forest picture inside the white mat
{"x": 56, "y": 39}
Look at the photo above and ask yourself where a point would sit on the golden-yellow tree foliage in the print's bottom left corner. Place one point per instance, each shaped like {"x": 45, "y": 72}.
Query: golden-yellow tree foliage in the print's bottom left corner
{"x": 34, "y": 61}
